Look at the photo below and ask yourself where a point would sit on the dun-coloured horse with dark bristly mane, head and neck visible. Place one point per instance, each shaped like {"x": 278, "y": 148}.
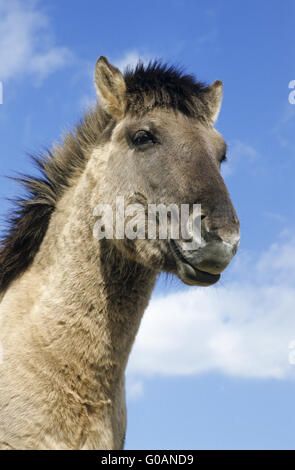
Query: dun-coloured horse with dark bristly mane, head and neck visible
{"x": 71, "y": 302}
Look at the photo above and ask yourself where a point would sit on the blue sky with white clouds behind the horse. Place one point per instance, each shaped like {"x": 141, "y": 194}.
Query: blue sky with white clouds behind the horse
{"x": 210, "y": 367}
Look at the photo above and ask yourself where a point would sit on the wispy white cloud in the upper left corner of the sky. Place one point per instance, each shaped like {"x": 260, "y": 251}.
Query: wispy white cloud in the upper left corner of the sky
{"x": 26, "y": 42}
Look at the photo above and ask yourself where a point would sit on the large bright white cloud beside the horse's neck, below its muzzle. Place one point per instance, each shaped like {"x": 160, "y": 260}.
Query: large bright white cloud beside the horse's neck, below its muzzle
{"x": 243, "y": 329}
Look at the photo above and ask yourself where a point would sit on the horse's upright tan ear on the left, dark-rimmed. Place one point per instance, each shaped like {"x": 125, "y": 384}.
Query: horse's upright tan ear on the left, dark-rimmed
{"x": 110, "y": 87}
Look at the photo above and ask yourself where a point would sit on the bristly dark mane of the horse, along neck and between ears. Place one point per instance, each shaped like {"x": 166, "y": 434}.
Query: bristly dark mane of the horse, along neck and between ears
{"x": 158, "y": 84}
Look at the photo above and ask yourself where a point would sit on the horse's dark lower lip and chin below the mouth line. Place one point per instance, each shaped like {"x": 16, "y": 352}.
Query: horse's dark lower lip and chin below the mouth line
{"x": 188, "y": 273}
